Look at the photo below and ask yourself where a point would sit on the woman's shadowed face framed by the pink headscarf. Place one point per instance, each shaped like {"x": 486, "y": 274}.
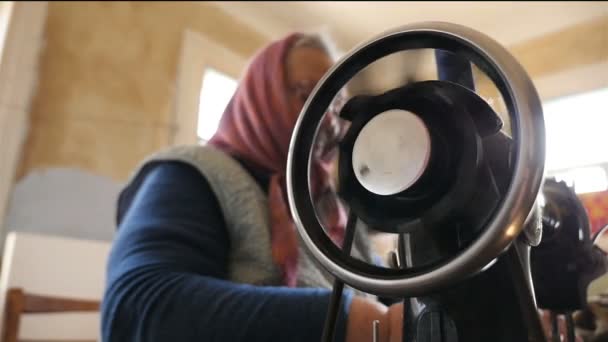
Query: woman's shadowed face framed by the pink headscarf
{"x": 305, "y": 67}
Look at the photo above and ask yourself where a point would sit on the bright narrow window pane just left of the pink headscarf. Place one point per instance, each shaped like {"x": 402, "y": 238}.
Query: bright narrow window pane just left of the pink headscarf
{"x": 216, "y": 92}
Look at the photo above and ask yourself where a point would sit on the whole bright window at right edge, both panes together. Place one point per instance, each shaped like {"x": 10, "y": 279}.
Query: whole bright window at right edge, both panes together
{"x": 577, "y": 149}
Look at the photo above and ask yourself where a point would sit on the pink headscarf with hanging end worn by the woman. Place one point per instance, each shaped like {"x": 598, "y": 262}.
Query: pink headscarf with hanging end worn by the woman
{"x": 256, "y": 127}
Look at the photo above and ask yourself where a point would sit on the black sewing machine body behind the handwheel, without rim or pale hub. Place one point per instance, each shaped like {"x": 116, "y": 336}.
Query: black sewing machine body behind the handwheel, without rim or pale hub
{"x": 444, "y": 211}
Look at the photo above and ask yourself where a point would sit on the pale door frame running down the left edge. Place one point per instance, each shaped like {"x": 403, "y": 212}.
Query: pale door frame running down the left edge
{"x": 22, "y": 28}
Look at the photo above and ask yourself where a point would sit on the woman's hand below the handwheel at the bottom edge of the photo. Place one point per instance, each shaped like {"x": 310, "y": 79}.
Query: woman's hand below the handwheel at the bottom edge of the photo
{"x": 364, "y": 311}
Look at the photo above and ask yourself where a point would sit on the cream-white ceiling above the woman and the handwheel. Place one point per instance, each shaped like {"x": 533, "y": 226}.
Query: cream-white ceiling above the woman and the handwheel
{"x": 350, "y": 23}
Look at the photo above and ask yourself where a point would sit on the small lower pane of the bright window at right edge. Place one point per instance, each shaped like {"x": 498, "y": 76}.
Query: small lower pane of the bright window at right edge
{"x": 585, "y": 179}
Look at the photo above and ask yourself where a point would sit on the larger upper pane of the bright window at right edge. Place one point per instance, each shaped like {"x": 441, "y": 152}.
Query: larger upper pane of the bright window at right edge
{"x": 577, "y": 128}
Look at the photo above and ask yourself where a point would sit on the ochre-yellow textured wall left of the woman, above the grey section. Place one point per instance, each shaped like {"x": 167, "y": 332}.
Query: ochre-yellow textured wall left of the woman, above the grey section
{"x": 105, "y": 98}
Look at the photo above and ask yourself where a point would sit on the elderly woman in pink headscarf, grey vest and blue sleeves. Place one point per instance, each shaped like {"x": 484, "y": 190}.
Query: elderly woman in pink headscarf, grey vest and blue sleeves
{"x": 206, "y": 248}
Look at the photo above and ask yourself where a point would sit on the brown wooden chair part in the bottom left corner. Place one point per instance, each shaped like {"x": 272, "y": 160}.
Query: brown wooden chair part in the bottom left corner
{"x": 18, "y": 303}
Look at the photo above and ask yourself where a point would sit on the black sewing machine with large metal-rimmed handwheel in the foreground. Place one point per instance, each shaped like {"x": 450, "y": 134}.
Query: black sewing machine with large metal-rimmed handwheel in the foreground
{"x": 429, "y": 163}
